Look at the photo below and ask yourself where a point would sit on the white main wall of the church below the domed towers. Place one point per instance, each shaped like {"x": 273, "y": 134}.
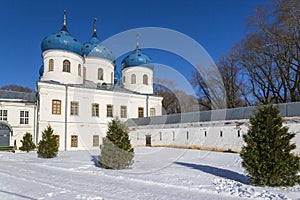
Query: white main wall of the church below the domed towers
{"x": 85, "y": 125}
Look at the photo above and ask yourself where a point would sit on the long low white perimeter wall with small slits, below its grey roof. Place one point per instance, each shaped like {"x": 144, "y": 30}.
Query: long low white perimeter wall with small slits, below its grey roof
{"x": 193, "y": 134}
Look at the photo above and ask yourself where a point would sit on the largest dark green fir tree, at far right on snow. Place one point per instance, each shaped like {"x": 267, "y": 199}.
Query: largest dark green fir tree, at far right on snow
{"x": 267, "y": 154}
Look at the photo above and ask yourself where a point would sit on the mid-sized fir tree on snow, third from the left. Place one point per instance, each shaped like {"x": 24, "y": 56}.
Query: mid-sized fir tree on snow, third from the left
{"x": 116, "y": 150}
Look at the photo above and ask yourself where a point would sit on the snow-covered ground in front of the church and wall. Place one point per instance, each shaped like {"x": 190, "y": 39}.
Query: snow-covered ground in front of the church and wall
{"x": 158, "y": 173}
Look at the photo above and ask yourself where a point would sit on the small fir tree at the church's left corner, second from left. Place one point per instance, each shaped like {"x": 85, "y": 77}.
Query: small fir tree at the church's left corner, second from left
{"x": 47, "y": 147}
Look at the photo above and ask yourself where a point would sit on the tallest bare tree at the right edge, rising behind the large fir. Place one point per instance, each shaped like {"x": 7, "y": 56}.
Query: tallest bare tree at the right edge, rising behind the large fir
{"x": 270, "y": 54}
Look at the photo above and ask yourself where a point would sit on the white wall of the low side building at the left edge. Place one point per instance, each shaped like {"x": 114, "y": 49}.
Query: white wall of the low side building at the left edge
{"x": 13, "y": 108}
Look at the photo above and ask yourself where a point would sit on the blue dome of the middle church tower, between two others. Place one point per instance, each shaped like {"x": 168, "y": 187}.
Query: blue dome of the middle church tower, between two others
{"x": 94, "y": 48}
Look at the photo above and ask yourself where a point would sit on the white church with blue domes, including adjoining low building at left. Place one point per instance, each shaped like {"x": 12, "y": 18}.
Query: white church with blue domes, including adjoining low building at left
{"x": 77, "y": 93}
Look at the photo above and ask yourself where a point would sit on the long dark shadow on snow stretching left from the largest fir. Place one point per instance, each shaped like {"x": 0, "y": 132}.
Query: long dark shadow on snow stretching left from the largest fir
{"x": 223, "y": 173}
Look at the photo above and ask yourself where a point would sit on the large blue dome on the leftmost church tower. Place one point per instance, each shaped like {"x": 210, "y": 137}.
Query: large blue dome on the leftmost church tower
{"x": 63, "y": 41}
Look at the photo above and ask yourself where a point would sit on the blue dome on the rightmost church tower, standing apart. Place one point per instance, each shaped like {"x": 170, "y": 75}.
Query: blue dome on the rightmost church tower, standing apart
{"x": 137, "y": 58}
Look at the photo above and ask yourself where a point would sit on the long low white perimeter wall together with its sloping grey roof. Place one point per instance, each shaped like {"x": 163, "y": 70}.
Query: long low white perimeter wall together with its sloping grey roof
{"x": 219, "y": 130}
